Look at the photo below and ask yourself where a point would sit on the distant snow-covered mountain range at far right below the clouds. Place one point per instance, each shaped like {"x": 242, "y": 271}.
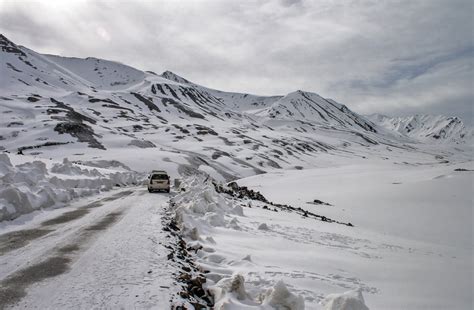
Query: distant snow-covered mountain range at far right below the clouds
{"x": 427, "y": 128}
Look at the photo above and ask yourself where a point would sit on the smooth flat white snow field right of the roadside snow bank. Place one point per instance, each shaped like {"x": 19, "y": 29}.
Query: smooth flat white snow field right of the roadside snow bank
{"x": 412, "y": 234}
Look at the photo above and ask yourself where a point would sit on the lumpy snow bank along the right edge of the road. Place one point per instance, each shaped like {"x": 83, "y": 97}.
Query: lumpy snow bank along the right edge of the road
{"x": 200, "y": 211}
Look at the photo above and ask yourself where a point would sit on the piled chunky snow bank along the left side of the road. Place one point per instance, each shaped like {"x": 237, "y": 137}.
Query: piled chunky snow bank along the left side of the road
{"x": 31, "y": 186}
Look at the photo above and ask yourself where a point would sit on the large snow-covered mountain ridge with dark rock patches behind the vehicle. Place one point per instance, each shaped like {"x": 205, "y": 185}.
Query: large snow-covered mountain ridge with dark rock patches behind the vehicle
{"x": 103, "y": 109}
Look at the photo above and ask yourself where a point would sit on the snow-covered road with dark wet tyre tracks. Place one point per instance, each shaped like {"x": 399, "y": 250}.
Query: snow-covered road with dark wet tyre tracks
{"x": 101, "y": 252}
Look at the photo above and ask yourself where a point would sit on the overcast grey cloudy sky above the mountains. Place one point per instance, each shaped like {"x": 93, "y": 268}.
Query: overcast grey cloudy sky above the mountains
{"x": 391, "y": 57}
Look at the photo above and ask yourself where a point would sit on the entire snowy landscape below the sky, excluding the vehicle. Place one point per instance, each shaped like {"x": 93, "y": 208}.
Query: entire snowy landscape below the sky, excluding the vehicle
{"x": 79, "y": 230}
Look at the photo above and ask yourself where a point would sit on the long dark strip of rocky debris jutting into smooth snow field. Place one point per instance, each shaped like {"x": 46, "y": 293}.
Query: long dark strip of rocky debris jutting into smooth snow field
{"x": 234, "y": 190}
